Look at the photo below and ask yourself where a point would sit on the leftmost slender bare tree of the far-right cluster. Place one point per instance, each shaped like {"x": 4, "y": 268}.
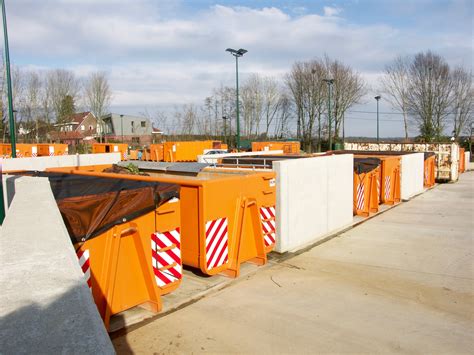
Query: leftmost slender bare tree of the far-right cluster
{"x": 395, "y": 86}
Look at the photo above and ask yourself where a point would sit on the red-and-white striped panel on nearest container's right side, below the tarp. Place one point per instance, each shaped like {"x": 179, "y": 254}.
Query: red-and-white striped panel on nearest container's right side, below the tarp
{"x": 166, "y": 257}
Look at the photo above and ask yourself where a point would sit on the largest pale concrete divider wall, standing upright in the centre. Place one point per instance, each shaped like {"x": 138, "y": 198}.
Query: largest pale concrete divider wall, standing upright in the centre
{"x": 314, "y": 198}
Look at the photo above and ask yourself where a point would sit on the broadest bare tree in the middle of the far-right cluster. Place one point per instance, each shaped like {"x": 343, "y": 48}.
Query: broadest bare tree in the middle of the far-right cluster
{"x": 430, "y": 94}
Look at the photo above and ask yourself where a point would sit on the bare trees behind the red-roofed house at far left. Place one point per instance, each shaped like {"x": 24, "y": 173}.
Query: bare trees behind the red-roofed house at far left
{"x": 44, "y": 98}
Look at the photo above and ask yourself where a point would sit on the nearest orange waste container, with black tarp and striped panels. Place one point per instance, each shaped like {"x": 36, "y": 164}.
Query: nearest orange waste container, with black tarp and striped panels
{"x": 126, "y": 235}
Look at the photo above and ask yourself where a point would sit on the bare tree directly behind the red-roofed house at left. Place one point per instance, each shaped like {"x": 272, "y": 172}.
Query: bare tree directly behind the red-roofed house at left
{"x": 61, "y": 83}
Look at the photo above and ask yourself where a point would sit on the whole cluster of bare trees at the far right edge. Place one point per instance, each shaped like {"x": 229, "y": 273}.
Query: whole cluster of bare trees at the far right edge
{"x": 430, "y": 94}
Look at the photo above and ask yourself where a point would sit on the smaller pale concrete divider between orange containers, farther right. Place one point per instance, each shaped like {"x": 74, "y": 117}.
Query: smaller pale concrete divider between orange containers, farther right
{"x": 412, "y": 170}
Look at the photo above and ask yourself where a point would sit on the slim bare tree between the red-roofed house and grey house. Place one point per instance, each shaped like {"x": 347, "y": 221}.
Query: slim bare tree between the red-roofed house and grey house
{"x": 97, "y": 95}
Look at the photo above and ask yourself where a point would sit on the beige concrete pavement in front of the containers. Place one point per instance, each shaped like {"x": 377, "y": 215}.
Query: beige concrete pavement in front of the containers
{"x": 401, "y": 282}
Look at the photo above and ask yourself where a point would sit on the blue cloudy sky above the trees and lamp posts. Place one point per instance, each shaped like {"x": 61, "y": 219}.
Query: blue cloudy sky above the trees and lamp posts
{"x": 161, "y": 53}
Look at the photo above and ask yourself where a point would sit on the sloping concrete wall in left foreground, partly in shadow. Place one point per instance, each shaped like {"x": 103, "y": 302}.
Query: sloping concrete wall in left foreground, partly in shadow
{"x": 45, "y": 305}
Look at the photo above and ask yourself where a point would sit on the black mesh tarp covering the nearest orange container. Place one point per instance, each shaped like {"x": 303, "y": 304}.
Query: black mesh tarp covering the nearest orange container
{"x": 91, "y": 205}
